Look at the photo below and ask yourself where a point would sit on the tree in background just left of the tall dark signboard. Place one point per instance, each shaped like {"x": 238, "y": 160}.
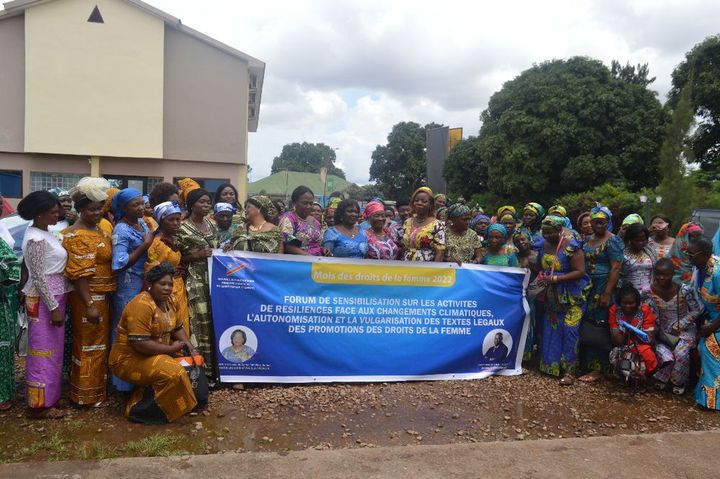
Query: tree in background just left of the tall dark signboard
{"x": 400, "y": 166}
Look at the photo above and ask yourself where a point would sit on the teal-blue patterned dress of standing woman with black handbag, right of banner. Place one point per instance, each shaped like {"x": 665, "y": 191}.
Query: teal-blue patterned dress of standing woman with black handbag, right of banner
{"x": 597, "y": 265}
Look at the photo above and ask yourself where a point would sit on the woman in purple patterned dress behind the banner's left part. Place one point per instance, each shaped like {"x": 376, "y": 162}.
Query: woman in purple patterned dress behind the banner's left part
{"x": 300, "y": 230}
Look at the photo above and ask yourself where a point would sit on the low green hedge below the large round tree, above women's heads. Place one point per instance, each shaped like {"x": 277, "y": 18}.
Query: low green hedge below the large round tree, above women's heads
{"x": 620, "y": 201}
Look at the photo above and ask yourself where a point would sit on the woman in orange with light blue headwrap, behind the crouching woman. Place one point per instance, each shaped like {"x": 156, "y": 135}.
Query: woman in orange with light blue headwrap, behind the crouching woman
{"x": 164, "y": 250}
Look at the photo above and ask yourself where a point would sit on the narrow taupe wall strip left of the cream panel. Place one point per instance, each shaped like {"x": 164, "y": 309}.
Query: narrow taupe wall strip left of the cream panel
{"x": 12, "y": 83}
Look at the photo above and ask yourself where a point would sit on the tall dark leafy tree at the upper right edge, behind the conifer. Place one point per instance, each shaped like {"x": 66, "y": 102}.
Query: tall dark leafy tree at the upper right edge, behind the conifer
{"x": 701, "y": 67}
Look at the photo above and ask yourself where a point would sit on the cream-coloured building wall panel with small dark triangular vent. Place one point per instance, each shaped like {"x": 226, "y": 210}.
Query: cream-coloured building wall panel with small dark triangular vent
{"x": 93, "y": 88}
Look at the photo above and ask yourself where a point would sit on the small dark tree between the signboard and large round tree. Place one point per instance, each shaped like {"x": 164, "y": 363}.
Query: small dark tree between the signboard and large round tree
{"x": 464, "y": 171}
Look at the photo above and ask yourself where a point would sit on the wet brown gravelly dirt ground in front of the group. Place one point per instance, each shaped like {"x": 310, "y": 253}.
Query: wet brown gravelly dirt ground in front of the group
{"x": 282, "y": 418}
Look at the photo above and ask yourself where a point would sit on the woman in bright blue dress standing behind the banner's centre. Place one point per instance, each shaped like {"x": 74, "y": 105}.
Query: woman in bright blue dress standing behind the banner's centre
{"x": 346, "y": 239}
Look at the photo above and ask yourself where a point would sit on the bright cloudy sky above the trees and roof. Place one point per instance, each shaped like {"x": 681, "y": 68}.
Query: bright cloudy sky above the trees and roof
{"x": 343, "y": 72}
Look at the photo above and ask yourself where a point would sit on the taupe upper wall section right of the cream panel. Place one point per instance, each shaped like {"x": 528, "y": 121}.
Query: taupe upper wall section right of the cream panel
{"x": 206, "y": 102}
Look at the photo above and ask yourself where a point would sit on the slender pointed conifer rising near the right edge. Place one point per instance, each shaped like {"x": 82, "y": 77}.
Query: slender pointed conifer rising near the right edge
{"x": 675, "y": 187}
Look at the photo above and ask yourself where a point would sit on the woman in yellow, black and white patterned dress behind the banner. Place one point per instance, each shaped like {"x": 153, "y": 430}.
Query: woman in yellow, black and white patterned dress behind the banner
{"x": 424, "y": 235}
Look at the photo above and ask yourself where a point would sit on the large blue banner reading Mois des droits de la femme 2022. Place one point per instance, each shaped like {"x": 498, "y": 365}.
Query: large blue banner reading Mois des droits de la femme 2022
{"x": 293, "y": 319}
